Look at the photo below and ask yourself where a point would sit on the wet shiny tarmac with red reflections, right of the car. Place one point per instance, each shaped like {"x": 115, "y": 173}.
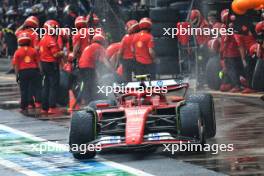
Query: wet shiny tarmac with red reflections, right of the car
{"x": 240, "y": 121}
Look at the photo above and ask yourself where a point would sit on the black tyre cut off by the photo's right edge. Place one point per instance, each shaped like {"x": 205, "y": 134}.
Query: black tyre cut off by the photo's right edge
{"x": 258, "y": 76}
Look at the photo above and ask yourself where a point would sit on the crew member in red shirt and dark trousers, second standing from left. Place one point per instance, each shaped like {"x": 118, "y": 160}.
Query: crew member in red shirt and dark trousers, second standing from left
{"x": 50, "y": 55}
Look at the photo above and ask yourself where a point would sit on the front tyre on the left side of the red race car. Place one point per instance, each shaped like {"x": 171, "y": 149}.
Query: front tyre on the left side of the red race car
{"x": 82, "y": 131}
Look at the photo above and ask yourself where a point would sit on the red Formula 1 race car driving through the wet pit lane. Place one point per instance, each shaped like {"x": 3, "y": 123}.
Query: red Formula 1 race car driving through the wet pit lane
{"x": 145, "y": 114}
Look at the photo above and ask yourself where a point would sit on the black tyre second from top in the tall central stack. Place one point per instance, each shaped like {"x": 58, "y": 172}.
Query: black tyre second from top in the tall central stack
{"x": 164, "y": 14}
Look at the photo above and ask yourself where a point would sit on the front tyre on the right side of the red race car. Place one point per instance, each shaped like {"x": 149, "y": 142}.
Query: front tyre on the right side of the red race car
{"x": 191, "y": 122}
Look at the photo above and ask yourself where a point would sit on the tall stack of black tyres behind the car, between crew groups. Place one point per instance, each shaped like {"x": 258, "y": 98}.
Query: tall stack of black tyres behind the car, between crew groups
{"x": 166, "y": 15}
